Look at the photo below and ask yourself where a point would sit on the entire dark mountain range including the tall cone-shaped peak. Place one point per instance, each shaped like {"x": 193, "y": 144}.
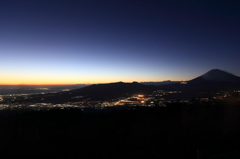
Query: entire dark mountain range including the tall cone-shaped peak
{"x": 212, "y": 81}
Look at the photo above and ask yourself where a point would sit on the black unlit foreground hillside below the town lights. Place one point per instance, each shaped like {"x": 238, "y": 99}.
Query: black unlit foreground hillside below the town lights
{"x": 198, "y": 131}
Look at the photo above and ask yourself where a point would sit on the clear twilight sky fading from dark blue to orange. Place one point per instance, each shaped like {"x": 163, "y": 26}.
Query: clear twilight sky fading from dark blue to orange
{"x": 101, "y": 41}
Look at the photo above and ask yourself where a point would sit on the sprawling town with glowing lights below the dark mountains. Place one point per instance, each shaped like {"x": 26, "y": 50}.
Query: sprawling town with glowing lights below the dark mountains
{"x": 157, "y": 98}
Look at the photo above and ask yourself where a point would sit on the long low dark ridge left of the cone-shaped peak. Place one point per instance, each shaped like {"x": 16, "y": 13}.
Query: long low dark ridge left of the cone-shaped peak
{"x": 96, "y": 92}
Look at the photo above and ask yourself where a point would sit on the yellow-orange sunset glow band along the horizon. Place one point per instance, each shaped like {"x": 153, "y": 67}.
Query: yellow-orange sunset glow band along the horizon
{"x": 56, "y": 79}
